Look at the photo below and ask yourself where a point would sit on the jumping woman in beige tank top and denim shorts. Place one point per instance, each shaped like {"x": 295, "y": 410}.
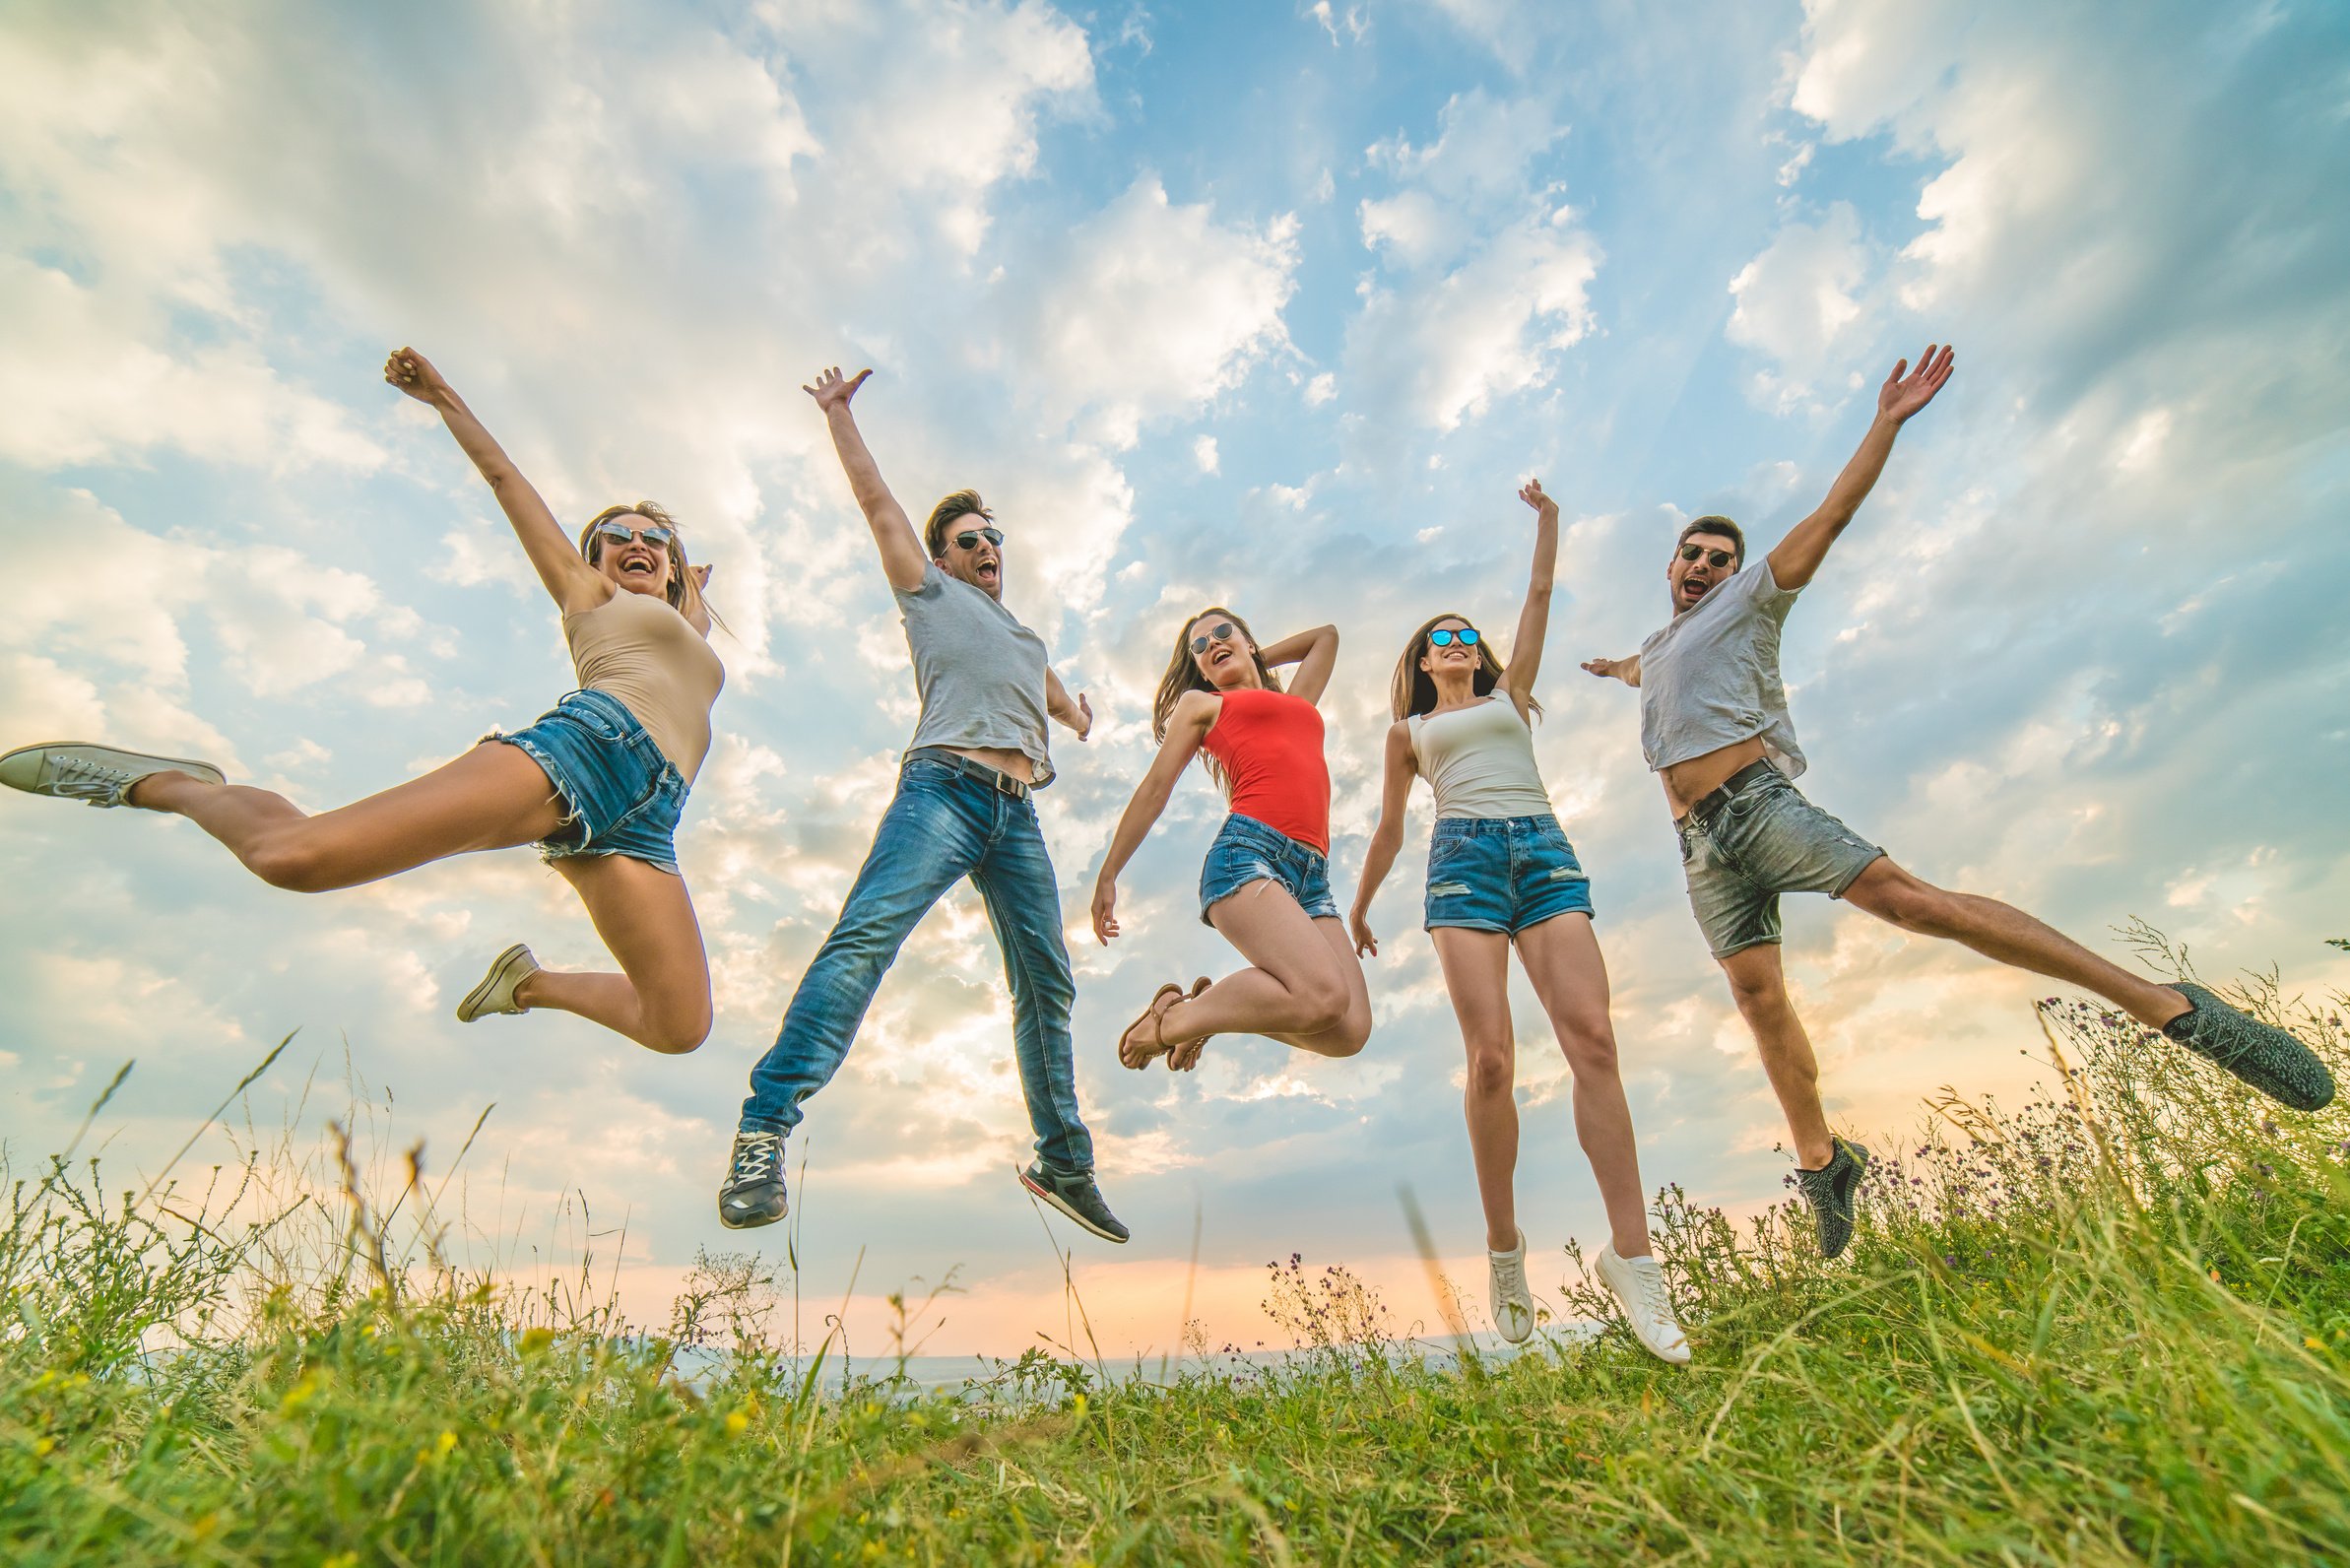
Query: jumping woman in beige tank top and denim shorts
{"x": 596, "y": 784}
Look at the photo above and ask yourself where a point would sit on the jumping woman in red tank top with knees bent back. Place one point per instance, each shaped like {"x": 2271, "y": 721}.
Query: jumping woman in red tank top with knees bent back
{"x": 1268, "y": 876}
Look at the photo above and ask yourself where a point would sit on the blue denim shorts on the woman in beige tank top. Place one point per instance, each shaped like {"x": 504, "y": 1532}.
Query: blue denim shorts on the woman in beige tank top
{"x": 622, "y": 796}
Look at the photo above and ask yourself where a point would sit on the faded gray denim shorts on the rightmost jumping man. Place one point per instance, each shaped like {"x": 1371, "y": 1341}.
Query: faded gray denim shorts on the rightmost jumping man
{"x": 1761, "y": 843}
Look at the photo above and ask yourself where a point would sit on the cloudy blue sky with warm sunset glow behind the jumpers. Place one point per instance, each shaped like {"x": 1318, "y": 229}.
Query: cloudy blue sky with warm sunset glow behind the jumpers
{"x": 1240, "y": 304}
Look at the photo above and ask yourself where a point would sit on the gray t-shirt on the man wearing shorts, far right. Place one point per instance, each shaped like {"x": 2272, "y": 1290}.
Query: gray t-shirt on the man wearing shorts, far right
{"x": 1712, "y": 678}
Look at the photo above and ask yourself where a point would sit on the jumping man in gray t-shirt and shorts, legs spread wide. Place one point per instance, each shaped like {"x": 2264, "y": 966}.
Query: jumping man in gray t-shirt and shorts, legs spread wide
{"x": 1714, "y": 728}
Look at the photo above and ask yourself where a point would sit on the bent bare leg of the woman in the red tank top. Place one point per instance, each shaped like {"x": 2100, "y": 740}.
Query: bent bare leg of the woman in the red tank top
{"x": 1305, "y": 986}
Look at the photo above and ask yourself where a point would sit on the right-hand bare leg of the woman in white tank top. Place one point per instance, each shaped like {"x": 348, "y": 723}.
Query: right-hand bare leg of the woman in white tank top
{"x": 1571, "y": 979}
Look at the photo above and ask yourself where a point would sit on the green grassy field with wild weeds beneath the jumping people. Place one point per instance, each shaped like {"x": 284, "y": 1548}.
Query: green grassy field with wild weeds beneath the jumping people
{"x": 2111, "y": 1325}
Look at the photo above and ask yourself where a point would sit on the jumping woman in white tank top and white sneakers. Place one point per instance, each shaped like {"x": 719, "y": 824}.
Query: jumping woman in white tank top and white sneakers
{"x": 1503, "y": 873}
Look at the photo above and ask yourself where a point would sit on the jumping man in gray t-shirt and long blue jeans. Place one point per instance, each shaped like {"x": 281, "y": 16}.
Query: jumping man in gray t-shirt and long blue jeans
{"x": 962, "y": 810}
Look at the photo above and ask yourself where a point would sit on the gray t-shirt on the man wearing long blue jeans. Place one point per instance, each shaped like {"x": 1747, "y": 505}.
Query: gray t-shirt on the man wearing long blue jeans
{"x": 979, "y": 671}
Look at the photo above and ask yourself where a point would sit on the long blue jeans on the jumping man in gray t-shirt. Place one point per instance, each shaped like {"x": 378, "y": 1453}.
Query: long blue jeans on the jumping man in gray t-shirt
{"x": 941, "y": 826}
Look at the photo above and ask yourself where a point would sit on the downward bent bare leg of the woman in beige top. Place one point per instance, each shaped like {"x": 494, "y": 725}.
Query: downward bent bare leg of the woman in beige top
{"x": 662, "y": 996}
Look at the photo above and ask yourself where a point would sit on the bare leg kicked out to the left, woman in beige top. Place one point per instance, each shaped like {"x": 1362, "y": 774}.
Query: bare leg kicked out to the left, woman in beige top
{"x": 490, "y": 798}
